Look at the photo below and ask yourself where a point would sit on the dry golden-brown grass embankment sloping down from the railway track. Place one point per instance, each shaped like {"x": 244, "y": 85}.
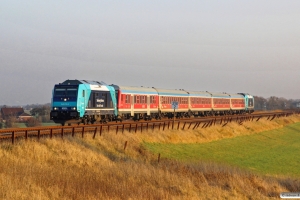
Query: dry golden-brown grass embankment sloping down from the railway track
{"x": 76, "y": 168}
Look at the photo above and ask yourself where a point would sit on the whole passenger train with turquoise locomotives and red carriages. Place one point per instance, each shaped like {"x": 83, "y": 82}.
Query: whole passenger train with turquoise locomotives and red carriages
{"x": 88, "y": 102}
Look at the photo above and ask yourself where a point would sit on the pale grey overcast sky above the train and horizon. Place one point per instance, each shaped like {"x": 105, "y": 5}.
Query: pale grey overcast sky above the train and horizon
{"x": 225, "y": 46}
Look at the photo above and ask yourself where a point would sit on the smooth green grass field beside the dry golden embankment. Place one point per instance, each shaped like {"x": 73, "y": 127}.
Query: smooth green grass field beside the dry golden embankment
{"x": 272, "y": 152}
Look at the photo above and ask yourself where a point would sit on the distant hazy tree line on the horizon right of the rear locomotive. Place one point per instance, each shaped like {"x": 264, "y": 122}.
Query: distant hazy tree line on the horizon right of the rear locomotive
{"x": 275, "y": 103}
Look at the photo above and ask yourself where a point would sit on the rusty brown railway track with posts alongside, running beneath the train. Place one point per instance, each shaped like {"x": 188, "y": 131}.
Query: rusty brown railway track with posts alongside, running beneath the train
{"x": 131, "y": 126}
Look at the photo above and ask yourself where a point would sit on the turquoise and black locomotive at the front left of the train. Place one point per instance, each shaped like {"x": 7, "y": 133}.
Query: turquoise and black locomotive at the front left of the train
{"x": 83, "y": 101}
